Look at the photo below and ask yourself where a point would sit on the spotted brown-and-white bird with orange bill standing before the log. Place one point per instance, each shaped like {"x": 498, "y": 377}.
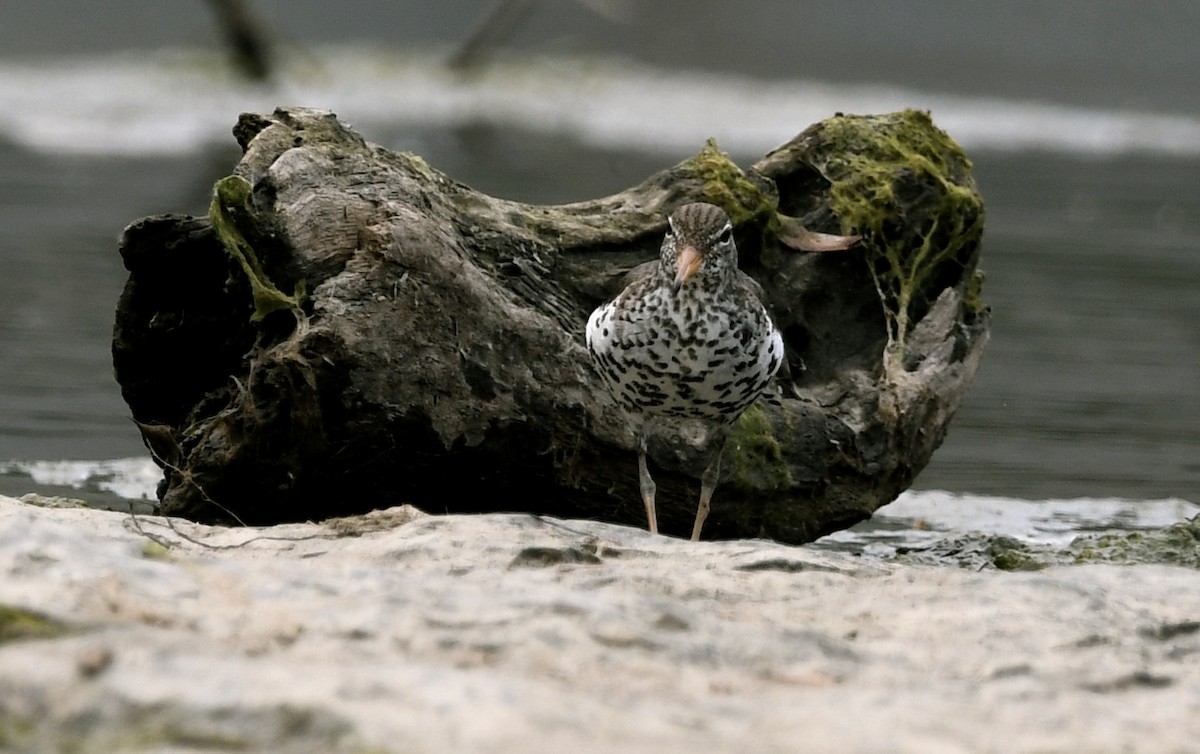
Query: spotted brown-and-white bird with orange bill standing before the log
{"x": 687, "y": 339}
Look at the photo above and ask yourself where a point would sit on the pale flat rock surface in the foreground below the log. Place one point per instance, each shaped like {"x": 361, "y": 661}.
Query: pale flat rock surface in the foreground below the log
{"x": 401, "y": 632}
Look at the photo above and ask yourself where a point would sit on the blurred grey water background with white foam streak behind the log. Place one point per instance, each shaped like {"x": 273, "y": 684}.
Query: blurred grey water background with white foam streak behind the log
{"x": 1083, "y": 121}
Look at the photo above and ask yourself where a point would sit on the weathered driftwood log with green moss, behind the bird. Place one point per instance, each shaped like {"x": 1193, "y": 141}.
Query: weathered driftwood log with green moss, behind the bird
{"x": 351, "y": 330}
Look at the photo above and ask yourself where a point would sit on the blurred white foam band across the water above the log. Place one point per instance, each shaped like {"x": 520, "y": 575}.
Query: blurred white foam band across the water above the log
{"x": 182, "y": 101}
